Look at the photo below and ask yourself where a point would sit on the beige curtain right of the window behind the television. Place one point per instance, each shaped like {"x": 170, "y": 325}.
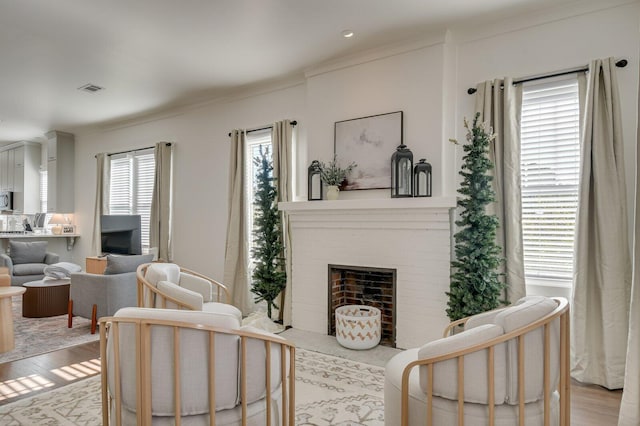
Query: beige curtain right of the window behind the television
{"x": 160, "y": 223}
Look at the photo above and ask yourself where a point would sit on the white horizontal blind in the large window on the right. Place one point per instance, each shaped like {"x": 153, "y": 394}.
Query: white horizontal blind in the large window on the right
{"x": 550, "y": 166}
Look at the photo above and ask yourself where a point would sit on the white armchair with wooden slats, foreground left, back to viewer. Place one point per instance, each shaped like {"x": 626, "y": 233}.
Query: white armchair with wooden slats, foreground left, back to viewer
{"x": 216, "y": 371}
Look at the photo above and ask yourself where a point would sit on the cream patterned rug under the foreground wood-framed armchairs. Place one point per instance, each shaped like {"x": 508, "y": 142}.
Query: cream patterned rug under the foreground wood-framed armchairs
{"x": 330, "y": 391}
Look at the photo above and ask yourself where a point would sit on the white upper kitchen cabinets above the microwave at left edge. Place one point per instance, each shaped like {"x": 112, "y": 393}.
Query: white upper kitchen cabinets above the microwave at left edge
{"x": 20, "y": 173}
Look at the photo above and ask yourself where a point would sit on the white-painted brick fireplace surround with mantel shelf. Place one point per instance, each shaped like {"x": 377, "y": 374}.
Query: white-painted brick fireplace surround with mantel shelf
{"x": 411, "y": 235}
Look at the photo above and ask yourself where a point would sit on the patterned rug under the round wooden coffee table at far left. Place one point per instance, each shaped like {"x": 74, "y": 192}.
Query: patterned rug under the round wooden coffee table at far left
{"x": 35, "y": 336}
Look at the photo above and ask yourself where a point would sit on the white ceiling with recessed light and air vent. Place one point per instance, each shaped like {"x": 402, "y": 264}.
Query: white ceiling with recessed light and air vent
{"x": 153, "y": 54}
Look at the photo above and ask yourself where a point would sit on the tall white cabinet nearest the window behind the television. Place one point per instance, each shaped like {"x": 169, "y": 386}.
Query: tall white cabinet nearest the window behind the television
{"x": 60, "y": 172}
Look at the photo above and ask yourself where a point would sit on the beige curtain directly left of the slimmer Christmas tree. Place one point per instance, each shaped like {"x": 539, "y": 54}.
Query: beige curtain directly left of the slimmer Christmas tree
{"x": 236, "y": 259}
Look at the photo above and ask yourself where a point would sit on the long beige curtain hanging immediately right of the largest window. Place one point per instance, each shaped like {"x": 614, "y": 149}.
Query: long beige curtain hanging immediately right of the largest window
{"x": 602, "y": 271}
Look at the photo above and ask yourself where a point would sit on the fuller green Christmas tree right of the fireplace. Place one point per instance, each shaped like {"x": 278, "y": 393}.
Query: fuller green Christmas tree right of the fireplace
{"x": 475, "y": 281}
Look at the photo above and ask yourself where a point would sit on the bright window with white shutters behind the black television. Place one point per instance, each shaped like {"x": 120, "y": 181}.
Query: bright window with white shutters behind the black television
{"x": 131, "y": 187}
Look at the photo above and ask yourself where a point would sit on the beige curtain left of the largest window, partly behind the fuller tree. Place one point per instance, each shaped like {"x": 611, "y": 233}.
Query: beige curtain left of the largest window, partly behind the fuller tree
{"x": 499, "y": 103}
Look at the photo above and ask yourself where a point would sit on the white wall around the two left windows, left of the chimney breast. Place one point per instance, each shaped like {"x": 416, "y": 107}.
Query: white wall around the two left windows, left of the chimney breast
{"x": 200, "y": 169}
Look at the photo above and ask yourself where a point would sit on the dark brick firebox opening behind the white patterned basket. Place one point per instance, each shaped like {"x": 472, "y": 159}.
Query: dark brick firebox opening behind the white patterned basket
{"x": 356, "y": 285}
